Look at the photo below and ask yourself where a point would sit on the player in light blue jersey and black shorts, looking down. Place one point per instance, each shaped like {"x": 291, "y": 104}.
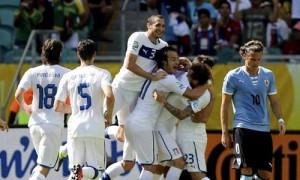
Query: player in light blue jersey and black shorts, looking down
{"x": 248, "y": 87}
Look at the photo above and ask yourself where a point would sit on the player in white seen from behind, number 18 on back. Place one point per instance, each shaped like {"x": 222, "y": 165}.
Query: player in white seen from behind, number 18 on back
{"x": 45, "y": 125}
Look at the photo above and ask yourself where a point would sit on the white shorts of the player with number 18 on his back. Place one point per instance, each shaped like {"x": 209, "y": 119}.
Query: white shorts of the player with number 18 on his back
{"x": 46, "y": 139}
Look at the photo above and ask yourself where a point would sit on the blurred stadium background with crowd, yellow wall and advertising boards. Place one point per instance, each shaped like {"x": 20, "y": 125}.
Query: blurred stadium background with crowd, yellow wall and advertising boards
{"x": 24, "y": 24}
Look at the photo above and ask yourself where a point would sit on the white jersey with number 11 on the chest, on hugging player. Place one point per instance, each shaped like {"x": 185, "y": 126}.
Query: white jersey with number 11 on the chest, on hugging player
{"x": 147, "y": 109}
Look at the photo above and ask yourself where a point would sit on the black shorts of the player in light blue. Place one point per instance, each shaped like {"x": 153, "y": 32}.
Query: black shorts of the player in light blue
{"x": 252, "y": 149}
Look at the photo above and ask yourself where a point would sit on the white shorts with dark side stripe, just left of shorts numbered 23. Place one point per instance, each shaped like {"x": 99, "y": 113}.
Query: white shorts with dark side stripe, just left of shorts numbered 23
{"x": 168, "y": 149}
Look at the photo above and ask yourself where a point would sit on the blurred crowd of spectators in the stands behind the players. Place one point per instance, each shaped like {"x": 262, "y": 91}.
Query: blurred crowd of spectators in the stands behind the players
{"x": 192, "y": 26}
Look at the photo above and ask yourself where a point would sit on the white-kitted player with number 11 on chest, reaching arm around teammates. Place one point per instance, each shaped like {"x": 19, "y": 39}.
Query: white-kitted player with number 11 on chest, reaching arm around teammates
{"x": 140, "y": 124}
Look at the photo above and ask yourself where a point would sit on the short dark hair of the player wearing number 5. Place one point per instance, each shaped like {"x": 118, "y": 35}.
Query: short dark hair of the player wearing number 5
{"x": 86, "y": 49}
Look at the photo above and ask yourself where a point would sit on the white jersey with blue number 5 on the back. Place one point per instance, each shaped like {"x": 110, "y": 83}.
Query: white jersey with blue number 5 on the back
{"x": 84, "y": 87}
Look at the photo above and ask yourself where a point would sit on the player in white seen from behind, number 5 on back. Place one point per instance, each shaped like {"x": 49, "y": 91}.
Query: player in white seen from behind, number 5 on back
{"x": 89, "y": 88}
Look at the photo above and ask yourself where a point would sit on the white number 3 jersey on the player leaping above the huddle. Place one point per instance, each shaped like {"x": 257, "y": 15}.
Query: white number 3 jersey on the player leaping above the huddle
{"x": 140, "y": 45}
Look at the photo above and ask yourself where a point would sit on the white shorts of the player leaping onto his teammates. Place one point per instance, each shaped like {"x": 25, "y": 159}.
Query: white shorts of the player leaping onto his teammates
{"x": 125, "y": 102}
